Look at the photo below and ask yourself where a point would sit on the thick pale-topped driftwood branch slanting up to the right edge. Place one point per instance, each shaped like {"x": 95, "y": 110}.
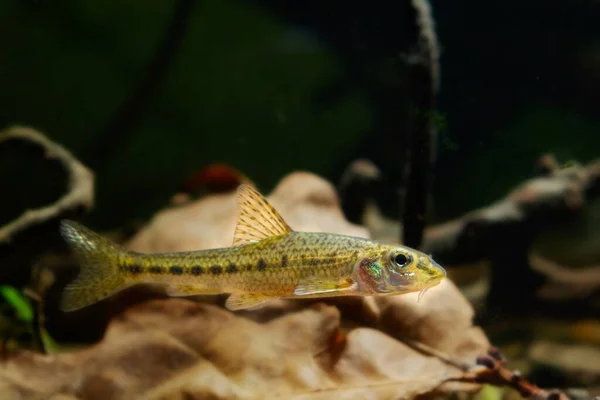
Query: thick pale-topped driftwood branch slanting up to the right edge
{"x": 530, "y": 207}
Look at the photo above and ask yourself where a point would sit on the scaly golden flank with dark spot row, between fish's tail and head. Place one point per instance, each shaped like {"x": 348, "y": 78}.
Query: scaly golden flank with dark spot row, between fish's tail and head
{"x": 274, "y": 266}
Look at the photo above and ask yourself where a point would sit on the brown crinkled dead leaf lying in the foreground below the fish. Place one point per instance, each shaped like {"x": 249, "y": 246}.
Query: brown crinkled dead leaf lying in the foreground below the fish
{"x": 176, "y": 348}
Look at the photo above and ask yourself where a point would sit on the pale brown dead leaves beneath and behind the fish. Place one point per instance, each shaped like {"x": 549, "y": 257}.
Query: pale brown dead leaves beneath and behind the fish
{"x": 385, "y": 348}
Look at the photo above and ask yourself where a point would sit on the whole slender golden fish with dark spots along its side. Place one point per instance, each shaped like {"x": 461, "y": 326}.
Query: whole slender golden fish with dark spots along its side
{"x": 267, "y": 260}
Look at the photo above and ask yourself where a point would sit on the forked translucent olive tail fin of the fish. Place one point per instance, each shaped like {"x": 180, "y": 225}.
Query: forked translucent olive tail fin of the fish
{"x": 98, "y": 260}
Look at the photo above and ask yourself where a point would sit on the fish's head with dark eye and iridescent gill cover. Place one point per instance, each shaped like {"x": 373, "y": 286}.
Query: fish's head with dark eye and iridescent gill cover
{"x": 396, "y": 270}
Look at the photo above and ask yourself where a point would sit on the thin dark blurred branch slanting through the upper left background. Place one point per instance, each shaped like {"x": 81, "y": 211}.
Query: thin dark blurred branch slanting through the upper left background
{"x": 131, "y": 111}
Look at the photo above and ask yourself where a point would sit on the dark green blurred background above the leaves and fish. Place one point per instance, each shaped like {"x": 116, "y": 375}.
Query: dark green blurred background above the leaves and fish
{"x": 270, "y": 88}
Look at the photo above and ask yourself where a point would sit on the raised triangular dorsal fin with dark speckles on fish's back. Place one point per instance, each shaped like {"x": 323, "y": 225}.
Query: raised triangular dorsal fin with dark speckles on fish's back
{"x": 257, "y": 219}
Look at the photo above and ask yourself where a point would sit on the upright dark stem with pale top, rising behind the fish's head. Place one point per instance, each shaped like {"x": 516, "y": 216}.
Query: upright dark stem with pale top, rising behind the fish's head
{"x": 423, "y": 86}
